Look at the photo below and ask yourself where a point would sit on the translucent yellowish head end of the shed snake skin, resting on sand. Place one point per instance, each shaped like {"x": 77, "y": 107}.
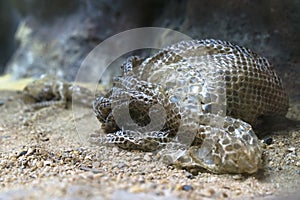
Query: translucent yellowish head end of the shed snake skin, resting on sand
{"x": 221, "y": 146}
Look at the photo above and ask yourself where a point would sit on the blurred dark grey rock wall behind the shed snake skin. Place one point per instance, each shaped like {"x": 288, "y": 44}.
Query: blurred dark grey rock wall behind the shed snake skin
{"x": 53, "y": 37}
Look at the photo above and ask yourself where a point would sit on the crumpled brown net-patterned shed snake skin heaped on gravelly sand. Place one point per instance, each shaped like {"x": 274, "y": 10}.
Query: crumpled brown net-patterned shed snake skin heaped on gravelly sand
{"x": 194, "y": 102}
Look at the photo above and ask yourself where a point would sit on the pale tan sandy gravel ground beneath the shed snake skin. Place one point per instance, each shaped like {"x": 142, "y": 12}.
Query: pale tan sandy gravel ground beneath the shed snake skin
{"x": 44, "y": 155}
